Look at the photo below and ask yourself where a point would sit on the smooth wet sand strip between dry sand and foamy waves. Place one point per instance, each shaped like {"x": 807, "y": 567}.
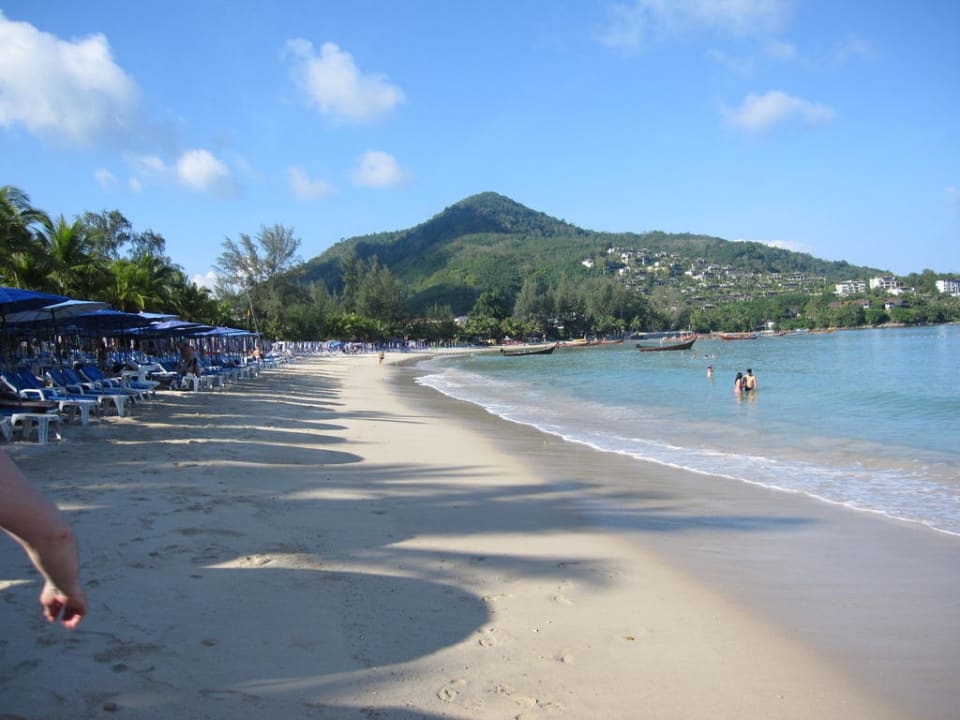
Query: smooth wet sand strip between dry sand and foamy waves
{"x": 872, "y": 592}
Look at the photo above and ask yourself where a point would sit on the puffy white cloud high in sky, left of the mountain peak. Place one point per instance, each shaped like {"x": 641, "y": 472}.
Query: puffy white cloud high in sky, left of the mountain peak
{"x": 337, "y": 87}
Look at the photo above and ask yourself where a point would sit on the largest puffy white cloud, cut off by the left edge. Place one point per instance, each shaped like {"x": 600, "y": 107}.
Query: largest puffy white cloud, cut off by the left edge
{"x": 69, "y": 90}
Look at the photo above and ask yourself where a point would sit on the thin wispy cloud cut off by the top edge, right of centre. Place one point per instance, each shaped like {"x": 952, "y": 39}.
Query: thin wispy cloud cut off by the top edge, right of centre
{"x": 633, "y": 24}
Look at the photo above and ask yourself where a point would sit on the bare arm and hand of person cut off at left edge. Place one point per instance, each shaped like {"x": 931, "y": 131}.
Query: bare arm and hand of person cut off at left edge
{"x": 40, "y": 528}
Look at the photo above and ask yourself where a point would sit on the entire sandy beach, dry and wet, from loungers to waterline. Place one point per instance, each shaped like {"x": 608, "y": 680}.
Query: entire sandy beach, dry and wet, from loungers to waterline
{"x": 331, "y": 541}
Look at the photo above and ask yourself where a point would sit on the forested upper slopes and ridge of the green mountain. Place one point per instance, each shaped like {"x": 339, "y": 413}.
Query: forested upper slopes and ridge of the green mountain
{"x": 489, "y": 241}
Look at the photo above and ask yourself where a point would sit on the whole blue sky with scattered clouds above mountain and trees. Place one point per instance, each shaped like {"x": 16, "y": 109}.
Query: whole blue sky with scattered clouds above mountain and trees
{"x": 821, "y": 126}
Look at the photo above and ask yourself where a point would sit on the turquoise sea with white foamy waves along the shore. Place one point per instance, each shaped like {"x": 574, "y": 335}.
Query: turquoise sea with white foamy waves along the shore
{"x": 867, "y": 419}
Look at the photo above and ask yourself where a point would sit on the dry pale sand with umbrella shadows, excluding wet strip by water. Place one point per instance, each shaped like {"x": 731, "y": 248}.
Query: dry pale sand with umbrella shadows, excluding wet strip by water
{"x": 313, "y": 544}
